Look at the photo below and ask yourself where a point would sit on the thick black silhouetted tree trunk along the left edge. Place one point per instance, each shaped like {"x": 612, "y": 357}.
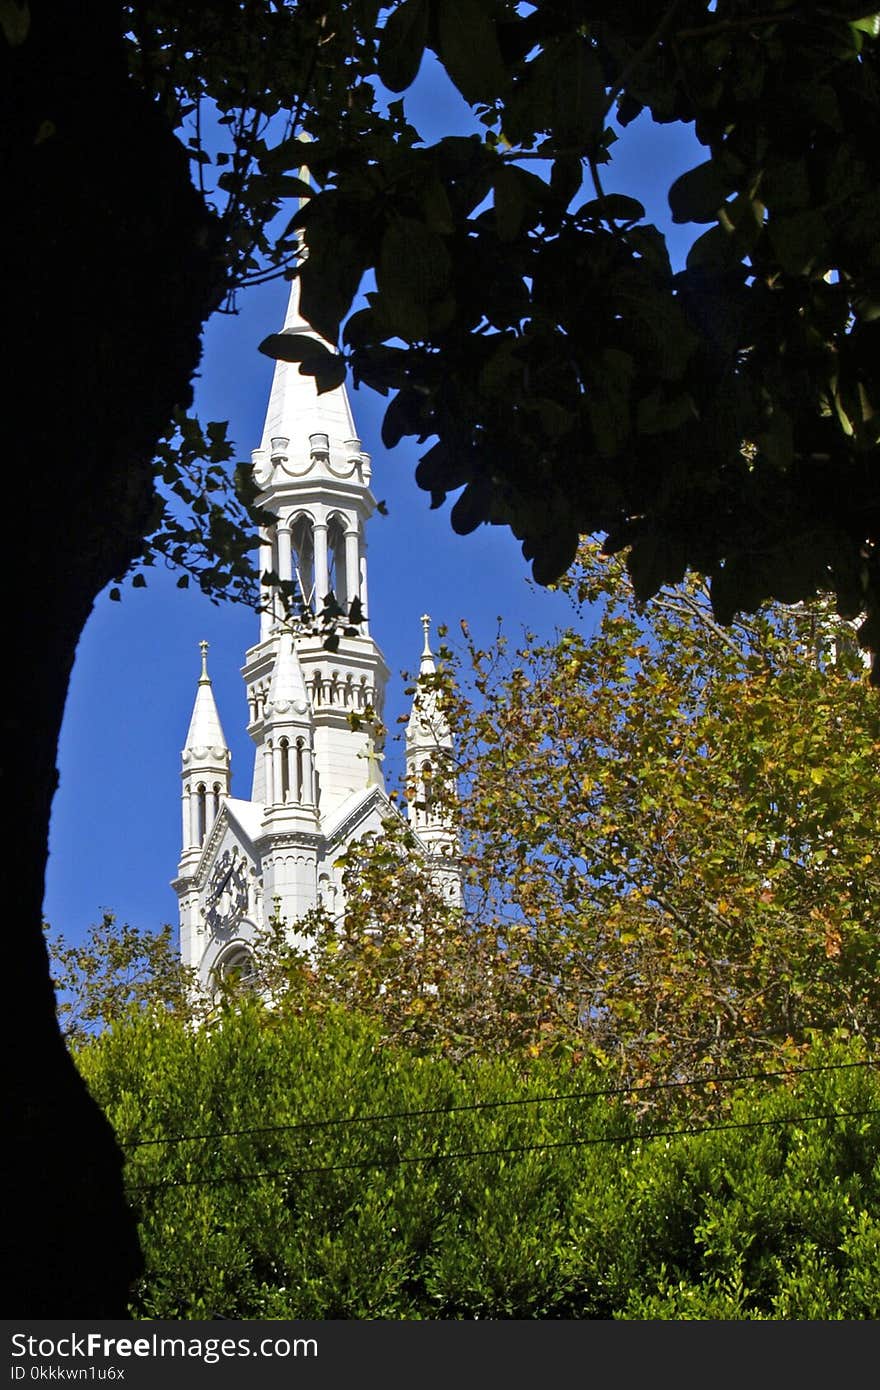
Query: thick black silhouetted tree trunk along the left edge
{"x": 109, "y": 276}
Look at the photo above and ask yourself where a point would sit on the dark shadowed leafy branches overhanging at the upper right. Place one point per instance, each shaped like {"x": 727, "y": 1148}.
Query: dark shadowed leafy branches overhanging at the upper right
{"x": 529, "y": 323}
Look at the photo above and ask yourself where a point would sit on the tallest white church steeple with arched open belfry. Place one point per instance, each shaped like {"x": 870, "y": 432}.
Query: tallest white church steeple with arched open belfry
{"x": 315, "y": 477}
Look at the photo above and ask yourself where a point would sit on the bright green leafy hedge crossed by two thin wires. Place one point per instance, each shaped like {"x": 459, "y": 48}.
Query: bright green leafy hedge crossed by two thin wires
{"x": 368, "y": 1207}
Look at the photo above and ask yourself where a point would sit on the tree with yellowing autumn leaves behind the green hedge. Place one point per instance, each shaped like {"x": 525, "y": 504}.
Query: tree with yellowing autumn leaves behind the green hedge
{"x": 668, "y": 836}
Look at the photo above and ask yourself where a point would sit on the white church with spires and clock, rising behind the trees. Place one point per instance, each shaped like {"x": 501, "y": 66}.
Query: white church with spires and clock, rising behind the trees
{"x": 318, "y": 778}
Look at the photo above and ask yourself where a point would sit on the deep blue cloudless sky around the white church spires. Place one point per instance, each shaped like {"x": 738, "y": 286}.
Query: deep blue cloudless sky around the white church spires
{"x": 116, "y": 828}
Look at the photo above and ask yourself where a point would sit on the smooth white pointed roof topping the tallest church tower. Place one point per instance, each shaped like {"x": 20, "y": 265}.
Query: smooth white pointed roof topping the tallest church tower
{"x": 295, "y": 409}
